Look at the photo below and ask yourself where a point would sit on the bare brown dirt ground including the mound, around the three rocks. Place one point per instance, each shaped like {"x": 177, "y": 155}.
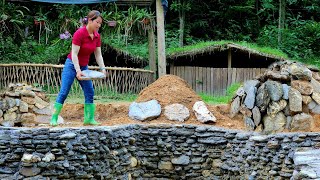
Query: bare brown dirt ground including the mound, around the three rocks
{"x": 167, "y": 90}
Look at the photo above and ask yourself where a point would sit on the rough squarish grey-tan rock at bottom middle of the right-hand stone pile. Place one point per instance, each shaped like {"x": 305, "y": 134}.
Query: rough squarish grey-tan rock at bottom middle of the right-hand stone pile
{"x": 274, "y": 124}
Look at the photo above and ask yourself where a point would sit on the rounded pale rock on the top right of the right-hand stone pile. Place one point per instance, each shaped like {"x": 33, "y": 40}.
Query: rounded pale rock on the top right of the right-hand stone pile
{"x": 300, "y": 72}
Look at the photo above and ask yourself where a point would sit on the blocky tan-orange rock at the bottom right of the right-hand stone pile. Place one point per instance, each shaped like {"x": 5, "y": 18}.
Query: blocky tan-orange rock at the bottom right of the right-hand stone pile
{"x": 301, "y": 122}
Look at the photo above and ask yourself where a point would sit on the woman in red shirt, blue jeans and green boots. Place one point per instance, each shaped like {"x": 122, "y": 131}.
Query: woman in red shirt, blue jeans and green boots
{"x": 85, "y": 41}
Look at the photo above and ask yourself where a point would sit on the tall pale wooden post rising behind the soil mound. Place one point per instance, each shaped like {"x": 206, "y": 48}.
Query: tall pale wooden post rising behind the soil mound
{"x": 161, "y": 40}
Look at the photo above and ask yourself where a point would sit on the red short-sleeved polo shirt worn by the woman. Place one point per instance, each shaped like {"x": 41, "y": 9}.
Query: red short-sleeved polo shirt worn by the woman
{"x": 87, "y": 45}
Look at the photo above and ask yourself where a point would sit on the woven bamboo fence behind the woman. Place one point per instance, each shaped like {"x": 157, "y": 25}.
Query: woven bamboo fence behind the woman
{"x": 47, "y": 76}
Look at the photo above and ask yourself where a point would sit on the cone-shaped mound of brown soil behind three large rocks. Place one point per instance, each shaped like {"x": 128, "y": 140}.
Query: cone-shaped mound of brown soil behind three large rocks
{"x": 170, "y": 89}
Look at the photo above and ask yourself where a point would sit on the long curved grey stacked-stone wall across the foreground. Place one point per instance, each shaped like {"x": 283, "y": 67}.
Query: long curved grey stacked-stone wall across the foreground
{"x": 143, "y": 152}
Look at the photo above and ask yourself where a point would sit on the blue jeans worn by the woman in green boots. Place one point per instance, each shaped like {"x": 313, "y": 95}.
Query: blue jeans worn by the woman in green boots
{"x": 68, "y": 75}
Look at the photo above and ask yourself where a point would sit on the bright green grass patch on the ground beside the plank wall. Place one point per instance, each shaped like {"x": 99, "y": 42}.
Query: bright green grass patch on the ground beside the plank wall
{"x": 221, "y": 99}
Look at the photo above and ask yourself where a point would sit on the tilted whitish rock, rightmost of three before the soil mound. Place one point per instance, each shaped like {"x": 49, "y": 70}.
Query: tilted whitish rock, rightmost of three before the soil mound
{"x": 202, "y": 113}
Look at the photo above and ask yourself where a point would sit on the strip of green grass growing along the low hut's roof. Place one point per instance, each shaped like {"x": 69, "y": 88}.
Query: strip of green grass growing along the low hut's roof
{"x": 203, "y": 45}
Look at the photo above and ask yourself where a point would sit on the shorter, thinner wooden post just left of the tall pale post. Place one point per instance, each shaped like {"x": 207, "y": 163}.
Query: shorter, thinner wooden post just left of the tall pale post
{"x": 152, "y": 51}
